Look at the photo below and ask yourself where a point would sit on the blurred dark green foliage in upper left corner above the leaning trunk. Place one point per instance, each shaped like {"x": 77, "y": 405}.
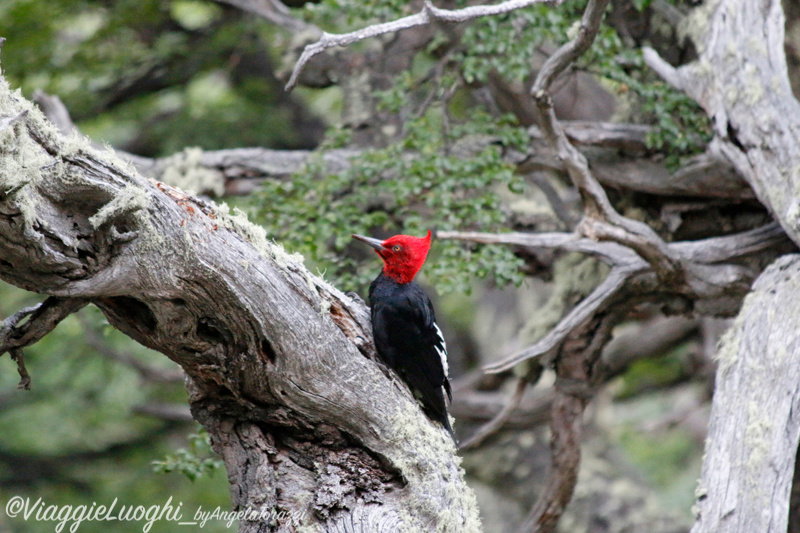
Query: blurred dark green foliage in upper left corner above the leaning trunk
{"x": 135, "y": 73}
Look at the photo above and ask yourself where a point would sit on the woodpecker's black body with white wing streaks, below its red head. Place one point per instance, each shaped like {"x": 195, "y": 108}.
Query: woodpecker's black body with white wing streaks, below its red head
{"x": 410, "y": 343}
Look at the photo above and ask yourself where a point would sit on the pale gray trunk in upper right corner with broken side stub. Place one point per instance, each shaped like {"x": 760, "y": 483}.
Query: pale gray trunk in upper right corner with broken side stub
{"x": 744, "y": 88}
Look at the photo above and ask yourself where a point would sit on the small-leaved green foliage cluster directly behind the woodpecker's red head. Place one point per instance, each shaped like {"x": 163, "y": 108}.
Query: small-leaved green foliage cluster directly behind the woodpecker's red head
{"x": 422, "y": 181}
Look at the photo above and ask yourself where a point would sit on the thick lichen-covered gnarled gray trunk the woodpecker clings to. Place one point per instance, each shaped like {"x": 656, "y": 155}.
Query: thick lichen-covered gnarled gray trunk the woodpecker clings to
{"x": 277, "y": 361}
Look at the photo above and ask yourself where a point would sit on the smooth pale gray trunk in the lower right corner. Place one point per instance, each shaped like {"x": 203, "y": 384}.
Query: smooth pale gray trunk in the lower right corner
{"x": 755, "y": 419}
